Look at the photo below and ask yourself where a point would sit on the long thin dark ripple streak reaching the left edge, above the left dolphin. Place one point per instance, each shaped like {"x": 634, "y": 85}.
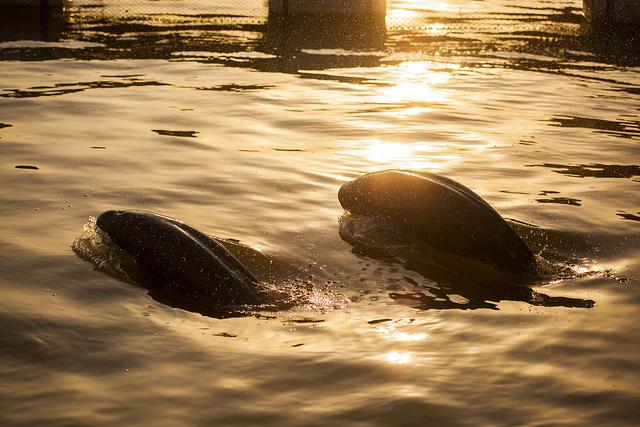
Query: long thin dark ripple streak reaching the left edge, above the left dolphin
{"x": 66, "y": 88}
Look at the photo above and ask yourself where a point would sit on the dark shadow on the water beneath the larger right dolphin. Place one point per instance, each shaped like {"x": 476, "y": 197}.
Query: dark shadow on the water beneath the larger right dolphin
{"x": 454, "y": 284}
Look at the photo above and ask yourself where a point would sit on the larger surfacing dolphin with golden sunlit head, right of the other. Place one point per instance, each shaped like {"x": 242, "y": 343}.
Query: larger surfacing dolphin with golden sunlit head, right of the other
{"x": 444, "y": 214}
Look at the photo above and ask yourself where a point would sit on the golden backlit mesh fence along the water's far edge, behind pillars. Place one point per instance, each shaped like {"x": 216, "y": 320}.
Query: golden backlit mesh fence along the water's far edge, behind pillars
{"x": 397, "y": 14}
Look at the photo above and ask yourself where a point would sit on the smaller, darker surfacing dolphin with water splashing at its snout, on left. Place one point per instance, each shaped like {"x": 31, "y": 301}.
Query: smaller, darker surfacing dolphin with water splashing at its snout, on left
{"x": 180, "y": 265}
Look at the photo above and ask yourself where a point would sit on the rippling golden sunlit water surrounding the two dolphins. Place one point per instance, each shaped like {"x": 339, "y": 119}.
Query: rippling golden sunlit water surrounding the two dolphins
{"x": 246, "y": 133}
